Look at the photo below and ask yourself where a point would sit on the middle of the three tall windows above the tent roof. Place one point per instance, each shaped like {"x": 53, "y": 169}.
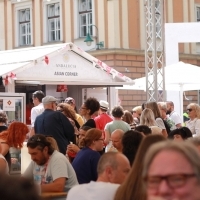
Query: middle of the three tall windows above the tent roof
{"x": 53, "y": 14}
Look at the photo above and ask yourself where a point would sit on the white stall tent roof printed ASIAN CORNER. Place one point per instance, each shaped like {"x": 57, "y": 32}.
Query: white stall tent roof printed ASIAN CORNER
{"x": 58, "y": 64}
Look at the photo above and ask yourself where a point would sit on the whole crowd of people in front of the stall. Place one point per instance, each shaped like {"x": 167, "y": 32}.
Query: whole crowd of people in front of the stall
{"x": 145, "y": 154}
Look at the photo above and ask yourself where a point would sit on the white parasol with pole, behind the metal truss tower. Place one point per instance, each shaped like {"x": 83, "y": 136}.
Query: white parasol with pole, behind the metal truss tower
{"x": 178, "y": 77}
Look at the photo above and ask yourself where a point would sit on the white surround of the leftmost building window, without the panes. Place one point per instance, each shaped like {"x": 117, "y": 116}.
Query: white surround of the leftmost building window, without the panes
{"x": 17, "y": 8}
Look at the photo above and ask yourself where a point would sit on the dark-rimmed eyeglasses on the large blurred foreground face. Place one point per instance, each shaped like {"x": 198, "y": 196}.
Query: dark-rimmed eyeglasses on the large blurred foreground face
{"x": 173, "y": 181}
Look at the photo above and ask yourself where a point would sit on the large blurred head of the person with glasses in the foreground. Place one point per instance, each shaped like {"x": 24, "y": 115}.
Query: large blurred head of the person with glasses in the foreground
{"x": 172, "y": 171}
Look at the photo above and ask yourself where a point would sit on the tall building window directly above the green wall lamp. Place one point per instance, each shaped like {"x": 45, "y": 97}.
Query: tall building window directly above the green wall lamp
{"x": 85, "y": 17}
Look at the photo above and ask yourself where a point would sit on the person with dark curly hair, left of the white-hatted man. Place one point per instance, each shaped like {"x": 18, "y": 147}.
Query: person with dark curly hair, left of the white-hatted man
{"x": 89, "y": 107}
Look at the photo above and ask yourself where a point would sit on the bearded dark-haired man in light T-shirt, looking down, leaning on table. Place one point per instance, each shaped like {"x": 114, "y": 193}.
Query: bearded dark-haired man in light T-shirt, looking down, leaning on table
{"x": 49, "y": 169}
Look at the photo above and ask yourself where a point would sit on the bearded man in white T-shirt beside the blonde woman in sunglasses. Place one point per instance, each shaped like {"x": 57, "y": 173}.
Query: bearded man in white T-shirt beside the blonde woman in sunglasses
{"x": 174, "y": 116}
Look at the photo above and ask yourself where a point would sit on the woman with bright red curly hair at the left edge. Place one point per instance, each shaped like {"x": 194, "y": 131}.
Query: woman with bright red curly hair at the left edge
{"x": 14, "y": 136}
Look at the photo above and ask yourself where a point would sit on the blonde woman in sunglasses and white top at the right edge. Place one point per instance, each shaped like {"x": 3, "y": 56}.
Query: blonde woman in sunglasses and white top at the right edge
{"x": 193, "y": 124}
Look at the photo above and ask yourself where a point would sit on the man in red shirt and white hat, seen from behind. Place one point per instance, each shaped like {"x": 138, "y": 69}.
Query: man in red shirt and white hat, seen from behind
{"x": 103, "y": 118}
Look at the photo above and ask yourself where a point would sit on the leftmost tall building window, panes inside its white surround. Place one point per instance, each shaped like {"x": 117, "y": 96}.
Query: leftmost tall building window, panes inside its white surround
{"x": 24, "y": 27}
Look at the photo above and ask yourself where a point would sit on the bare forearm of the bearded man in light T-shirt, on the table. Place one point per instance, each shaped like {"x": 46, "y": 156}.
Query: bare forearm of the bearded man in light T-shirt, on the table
{"x": 56, "y": 186}
